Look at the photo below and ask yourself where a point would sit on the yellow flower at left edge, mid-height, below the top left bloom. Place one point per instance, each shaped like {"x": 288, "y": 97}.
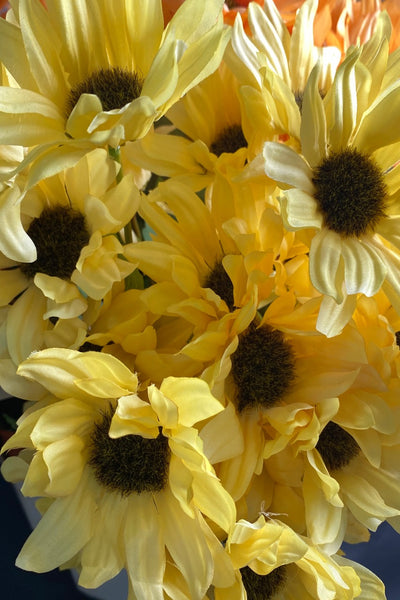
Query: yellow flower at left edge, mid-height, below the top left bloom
{"x": 60, "y": 251}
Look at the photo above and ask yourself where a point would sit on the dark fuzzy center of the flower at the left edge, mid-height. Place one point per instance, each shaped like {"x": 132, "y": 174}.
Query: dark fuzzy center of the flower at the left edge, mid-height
{"x": 59, "y": 234}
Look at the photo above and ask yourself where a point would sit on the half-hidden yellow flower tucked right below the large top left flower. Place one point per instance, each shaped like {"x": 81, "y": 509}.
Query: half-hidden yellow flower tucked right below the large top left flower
{"x": 217, "y": 136}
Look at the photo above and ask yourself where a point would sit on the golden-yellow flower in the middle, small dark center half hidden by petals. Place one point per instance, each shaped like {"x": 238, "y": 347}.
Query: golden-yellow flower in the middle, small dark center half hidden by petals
{"x": 210, "y": 265}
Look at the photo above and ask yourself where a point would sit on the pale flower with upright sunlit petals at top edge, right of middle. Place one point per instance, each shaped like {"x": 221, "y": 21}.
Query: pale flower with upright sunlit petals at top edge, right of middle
{"x": 273, "y": 66}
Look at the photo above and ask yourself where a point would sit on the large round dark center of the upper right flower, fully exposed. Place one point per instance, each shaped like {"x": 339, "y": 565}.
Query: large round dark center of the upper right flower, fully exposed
{"x": 350, "y": 192}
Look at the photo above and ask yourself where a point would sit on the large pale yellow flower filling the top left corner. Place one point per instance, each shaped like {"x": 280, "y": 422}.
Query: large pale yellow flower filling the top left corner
{"x": 81, "y": 85}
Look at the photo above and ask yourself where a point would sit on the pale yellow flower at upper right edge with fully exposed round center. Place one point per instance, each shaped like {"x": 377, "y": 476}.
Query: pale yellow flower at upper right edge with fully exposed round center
{"x": 344, "y": 187}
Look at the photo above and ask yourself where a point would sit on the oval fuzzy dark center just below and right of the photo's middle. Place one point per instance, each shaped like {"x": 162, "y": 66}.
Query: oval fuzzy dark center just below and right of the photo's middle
{"x": 263, "y": 367}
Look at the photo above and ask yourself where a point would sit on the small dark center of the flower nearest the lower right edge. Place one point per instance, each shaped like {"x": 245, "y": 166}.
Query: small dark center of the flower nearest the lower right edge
{"x": 336, "y": 446}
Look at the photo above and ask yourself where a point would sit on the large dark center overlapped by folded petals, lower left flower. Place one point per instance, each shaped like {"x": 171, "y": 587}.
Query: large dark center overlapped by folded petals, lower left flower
{"x": 130, "y": 463}
